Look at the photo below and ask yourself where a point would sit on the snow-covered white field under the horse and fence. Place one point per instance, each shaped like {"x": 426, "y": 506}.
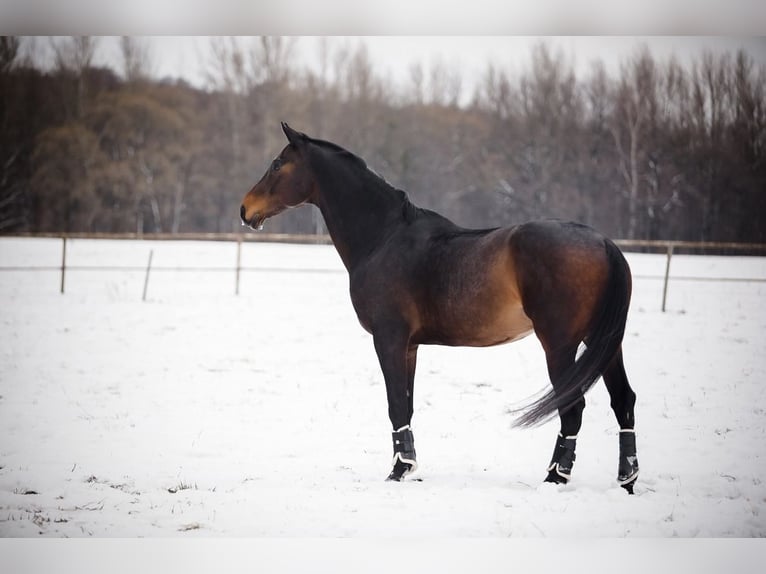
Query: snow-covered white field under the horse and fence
{"x": 202, "y": 413}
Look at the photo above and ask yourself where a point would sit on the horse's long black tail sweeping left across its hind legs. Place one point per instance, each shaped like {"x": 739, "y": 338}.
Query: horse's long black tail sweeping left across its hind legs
{"x": 603, "y": 344}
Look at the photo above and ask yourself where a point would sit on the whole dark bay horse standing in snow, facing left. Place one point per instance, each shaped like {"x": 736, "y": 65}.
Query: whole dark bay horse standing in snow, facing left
{"x": 416, "y": 278}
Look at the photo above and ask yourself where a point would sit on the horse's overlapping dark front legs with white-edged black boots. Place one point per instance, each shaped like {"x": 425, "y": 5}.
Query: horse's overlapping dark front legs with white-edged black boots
{"x": 397, "y": 361}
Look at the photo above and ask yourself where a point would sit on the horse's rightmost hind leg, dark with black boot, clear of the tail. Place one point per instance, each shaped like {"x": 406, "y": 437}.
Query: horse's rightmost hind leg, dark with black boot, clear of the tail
{"x": 623, "y": 401}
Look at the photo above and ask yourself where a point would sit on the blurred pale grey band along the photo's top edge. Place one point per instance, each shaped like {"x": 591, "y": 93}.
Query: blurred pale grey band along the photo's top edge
{"x": 332, "y": 17}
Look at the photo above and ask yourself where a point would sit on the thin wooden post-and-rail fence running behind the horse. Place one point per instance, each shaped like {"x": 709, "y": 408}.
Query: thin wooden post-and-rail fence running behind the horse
{"x": 659, "y": 246}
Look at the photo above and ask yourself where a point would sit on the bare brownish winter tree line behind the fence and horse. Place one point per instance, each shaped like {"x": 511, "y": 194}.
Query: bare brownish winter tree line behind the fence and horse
{"x": 659, "y": 150}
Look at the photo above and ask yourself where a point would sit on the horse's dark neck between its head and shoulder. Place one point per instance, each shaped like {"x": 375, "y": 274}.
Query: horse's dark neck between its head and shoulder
{"x": 359, "y": 208}
